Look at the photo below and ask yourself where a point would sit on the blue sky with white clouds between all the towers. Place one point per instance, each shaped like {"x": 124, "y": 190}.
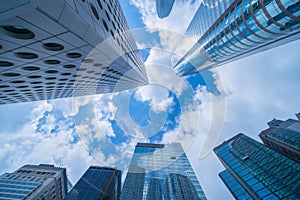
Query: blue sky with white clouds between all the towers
{"x": 103, "y": 129}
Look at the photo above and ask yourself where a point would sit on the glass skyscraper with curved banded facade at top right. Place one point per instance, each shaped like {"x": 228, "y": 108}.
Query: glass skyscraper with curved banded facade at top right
{"x": 229, "y": 30}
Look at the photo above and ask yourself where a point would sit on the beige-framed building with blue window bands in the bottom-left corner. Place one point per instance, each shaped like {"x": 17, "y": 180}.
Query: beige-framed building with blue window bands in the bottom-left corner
{"x": 34, "y": 182}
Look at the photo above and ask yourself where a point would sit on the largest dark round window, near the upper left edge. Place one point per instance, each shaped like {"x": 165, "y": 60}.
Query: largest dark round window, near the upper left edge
{"x": 18, "y": 32}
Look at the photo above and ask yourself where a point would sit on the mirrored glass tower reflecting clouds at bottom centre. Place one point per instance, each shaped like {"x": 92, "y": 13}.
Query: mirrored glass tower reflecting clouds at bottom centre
{"x": 160, "y": 171}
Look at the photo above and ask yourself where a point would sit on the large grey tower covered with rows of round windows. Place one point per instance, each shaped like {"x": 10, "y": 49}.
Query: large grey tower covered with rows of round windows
{"x": 61, "y": 48}
